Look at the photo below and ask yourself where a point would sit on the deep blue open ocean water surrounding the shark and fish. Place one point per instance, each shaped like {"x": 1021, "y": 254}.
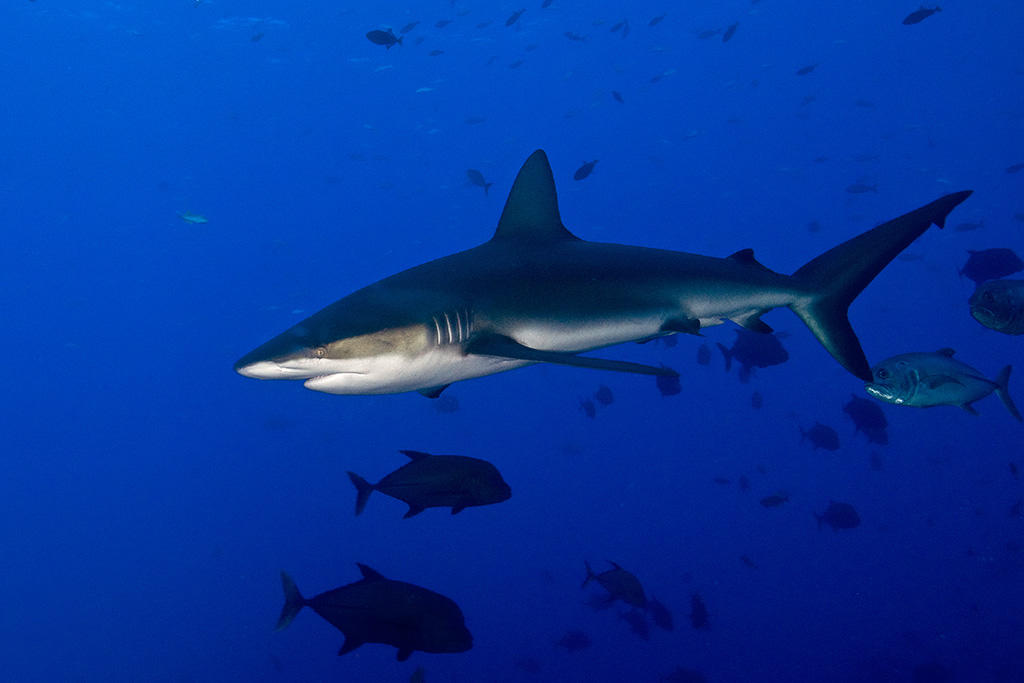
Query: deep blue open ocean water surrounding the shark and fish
{"x": 152, "y": 496}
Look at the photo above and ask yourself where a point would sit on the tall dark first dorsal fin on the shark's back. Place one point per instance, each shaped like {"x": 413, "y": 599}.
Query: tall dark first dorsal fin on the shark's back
{"x": 532, "y": 210}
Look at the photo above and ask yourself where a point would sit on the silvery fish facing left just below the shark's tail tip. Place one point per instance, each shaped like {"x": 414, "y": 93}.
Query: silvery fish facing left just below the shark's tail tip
{"x": 936, "y": 379}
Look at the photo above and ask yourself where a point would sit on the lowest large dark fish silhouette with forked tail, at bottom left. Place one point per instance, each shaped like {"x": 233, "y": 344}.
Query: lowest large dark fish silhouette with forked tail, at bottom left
{"x": 376, "y": 610}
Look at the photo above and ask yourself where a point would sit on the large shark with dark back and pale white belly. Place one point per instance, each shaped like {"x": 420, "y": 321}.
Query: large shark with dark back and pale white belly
{"x": 537, "y": 293}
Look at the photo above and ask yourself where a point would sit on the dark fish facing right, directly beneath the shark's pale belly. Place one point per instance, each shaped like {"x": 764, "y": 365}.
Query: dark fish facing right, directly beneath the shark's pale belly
{"x": 438, "y": 482}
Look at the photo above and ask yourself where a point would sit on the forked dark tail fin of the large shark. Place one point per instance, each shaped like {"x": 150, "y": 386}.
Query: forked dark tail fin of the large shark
{"x": 836, "y": 278}
